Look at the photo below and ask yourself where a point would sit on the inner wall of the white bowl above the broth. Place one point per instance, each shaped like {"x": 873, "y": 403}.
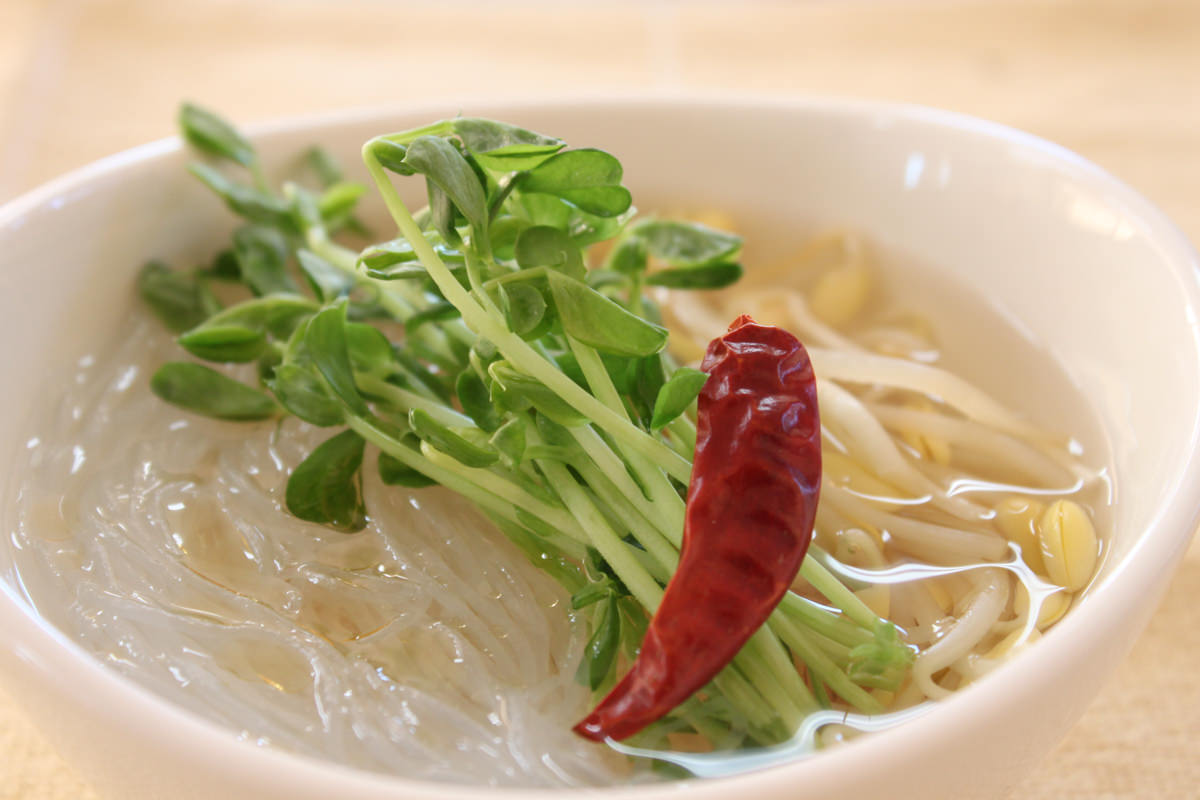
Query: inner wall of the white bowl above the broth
{"x": 1077, "y": 262}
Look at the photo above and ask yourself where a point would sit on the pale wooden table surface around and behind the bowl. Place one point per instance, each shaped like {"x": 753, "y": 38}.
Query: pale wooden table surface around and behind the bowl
{"x": 1115, "y": 81}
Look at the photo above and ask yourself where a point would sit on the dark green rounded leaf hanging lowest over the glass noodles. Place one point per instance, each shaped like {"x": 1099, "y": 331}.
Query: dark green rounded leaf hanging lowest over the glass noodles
{"x": 327, "y": 488}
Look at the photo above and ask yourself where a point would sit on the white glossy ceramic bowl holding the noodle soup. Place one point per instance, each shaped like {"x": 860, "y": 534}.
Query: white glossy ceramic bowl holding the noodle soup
{"x": 1079, "y": 261}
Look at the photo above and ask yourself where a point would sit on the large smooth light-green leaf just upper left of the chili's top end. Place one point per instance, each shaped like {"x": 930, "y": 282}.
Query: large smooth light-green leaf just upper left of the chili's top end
{"x": 601, "y": 323}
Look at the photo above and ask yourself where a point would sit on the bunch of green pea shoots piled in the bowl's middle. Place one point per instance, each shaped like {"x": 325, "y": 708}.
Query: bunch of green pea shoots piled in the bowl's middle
{"x": 524, "y": 372}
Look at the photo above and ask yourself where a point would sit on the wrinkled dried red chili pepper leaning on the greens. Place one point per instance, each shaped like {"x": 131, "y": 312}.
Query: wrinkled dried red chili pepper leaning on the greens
{"x": 752, "y": 504}
